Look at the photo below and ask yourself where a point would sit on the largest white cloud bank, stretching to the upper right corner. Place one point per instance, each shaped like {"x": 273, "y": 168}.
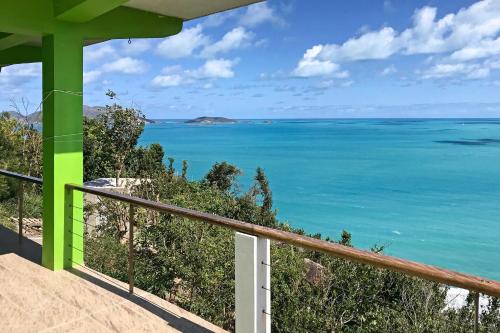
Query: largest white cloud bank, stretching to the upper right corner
{"x": 469, "y": 34}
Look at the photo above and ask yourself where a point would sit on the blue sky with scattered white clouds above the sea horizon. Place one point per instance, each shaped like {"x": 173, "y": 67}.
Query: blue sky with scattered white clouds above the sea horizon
{"x": 301, "y": 59}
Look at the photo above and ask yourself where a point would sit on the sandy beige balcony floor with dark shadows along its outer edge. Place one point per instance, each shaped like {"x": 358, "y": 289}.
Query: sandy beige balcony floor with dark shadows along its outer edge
{"x": 35, "y": 299}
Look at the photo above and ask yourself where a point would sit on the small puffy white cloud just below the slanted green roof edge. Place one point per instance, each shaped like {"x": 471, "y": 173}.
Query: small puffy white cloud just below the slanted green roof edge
{"x": 183, "y": 44}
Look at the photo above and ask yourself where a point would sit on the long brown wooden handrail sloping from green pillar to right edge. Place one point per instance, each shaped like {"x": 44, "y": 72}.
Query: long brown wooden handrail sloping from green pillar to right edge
{"x": 427, "y": 272}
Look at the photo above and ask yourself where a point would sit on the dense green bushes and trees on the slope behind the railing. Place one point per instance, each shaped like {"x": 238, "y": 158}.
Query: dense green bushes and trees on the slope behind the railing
{"x": 191, "y": 263}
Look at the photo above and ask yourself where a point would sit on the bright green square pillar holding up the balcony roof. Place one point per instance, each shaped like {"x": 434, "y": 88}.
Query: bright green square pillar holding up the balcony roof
{"x": 62, "y": 57}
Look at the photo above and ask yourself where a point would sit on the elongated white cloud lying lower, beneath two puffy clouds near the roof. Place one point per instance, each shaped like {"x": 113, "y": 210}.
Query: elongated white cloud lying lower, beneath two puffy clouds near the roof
{"x": 173, "y": 76}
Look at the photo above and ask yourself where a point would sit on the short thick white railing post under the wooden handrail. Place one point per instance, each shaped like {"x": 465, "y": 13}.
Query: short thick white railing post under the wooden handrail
{"x": 253, "y": 284}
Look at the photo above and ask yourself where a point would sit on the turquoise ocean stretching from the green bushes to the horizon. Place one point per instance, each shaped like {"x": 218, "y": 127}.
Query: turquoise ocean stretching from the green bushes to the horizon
{"x": 428, "y": 190}
